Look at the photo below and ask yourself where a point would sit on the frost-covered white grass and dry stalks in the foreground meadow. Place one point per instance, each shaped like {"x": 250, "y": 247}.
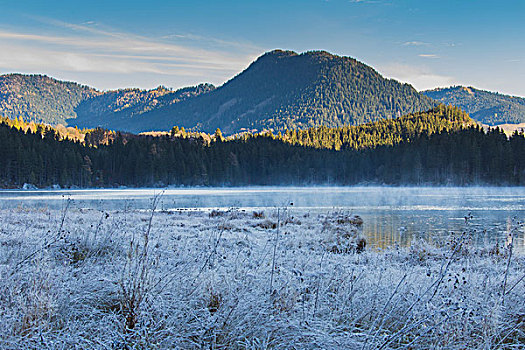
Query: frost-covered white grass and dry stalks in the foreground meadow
{"x": 89, "y": 279}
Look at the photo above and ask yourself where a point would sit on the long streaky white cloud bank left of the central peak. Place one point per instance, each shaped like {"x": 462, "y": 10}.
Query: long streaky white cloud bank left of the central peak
{"x": 89, "y": 47}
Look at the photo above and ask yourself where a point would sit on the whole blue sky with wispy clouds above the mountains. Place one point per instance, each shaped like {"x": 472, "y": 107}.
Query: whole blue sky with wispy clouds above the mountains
{"x": 116, "y": 44}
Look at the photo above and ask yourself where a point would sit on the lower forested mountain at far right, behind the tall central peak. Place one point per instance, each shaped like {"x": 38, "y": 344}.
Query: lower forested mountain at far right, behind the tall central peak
{"x": 487, "y": 107}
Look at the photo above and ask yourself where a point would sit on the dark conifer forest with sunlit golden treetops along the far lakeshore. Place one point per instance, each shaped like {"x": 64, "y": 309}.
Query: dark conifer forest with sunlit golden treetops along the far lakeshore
{"x": 440, "y": 147}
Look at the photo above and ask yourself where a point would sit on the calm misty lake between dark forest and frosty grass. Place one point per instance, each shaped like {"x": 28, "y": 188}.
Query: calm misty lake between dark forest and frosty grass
{"x": 392, "y": 215}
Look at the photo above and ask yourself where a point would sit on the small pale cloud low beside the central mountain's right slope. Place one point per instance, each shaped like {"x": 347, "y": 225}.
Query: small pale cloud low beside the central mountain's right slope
{"x": 421, "y": 78}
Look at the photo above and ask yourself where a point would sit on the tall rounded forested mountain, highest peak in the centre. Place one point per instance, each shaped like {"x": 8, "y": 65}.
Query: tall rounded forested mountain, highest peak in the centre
{"x": 283, "y": 89}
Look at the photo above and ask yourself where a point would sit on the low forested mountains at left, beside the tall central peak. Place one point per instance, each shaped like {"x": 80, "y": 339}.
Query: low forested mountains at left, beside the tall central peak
{"x": 42, "y": 99}
